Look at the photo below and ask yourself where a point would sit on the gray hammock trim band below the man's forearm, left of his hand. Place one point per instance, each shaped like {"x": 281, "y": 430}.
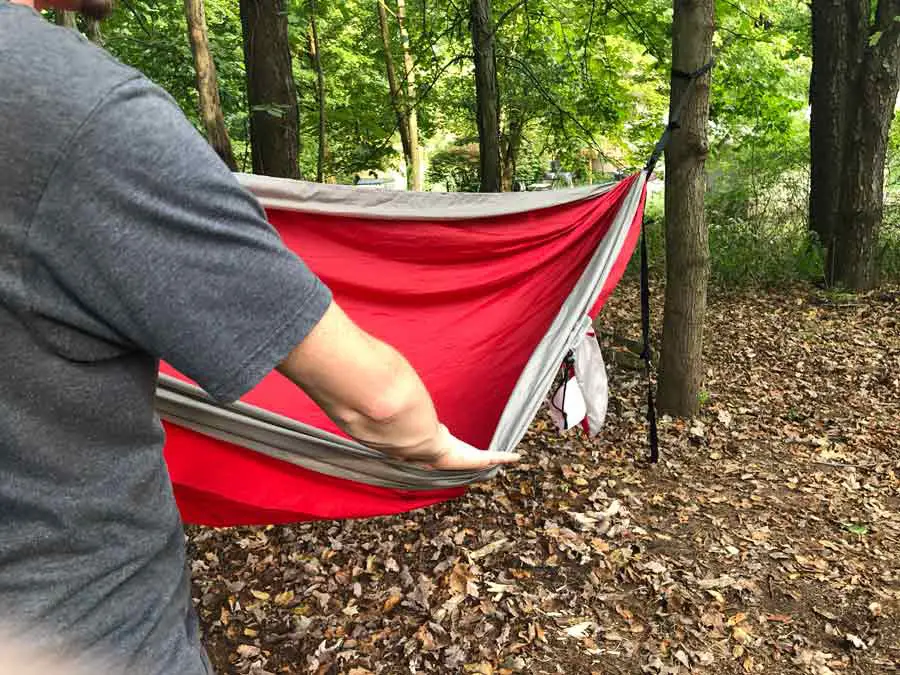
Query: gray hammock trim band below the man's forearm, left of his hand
{"x": 297, "y": 443}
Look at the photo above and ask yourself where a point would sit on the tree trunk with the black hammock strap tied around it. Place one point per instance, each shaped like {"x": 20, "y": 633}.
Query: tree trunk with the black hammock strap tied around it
{"x": 687, "y": 244}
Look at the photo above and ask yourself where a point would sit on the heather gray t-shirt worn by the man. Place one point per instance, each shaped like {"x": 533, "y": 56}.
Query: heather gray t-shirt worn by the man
{"x": 123, "y": 239}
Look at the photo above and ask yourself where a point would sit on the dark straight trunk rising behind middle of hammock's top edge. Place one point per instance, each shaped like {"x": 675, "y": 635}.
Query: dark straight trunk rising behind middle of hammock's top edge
{"x": 486, "y": 94}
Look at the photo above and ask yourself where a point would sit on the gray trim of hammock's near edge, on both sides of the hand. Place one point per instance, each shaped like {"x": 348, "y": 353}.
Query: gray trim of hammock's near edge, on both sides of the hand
{"x": 303, "y": 445}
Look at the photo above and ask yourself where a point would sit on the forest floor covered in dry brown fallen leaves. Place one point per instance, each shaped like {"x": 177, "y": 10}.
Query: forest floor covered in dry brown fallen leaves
{"x": 765, "y": 541}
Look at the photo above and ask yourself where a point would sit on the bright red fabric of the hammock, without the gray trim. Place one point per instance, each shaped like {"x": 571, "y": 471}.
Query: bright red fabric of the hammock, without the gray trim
{"x": 466, "y": 301}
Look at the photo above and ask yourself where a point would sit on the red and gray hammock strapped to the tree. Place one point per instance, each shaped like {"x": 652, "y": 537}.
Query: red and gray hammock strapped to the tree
{"x": 485, "y": 294}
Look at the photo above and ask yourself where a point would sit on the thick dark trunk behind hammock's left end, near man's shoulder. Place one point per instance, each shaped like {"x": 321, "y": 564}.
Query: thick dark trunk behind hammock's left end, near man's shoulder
{"x": 271, "y": 92}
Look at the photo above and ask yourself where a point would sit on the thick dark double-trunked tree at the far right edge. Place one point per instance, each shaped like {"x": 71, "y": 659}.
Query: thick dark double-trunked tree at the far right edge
{"x": 853, "y": 91}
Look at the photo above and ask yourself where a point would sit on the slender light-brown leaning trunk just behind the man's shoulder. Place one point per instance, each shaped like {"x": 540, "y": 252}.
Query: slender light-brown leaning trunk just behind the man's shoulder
{"x": 207, "y": 83}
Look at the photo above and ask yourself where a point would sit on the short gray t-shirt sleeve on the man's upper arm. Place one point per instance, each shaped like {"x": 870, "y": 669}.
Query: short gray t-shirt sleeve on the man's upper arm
{"x": 145, "y": 230}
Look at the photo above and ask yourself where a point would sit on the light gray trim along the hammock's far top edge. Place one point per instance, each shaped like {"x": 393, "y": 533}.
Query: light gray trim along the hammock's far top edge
{"x": 347, "y": 200}
